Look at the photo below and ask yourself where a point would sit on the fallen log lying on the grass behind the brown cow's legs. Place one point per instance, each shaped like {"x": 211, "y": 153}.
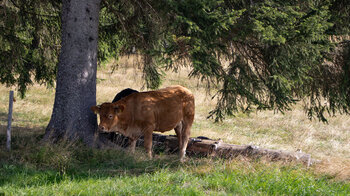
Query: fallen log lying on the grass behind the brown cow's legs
{"x": 217, "y": 148}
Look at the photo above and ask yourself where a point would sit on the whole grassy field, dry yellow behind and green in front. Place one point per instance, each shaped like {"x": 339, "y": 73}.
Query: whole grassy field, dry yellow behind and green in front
{"x": 72, "y": 169}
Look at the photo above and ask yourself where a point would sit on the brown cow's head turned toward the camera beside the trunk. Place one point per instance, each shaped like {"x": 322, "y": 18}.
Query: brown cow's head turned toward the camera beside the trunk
{"x": 109, "y": 115}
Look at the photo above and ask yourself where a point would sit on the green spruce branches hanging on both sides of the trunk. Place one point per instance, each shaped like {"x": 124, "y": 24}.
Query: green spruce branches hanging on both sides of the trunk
{"x": 265, "y": 54}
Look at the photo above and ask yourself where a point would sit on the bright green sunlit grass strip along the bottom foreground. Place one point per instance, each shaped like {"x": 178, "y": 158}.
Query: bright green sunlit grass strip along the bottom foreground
{"x": 285, "y": 181}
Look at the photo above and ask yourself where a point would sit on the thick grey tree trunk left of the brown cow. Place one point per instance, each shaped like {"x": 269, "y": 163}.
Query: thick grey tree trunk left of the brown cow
{"x": 76, "y": 75}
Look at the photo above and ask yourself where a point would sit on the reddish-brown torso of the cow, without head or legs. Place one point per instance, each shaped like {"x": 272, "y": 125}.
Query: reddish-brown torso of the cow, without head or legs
{"x": 164, "y": 108}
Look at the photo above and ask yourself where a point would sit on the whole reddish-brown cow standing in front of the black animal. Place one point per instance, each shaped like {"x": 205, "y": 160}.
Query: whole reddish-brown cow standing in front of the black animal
{"x": 142, "y": 113}
